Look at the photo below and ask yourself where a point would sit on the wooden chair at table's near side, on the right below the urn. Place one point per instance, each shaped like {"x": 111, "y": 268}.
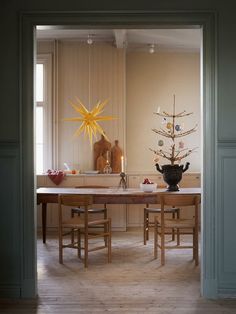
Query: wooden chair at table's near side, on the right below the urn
{"x": 162, "y": 223}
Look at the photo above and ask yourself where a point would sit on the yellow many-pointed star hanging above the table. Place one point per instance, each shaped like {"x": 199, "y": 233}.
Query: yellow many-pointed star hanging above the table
{"x": 89, "y": 119}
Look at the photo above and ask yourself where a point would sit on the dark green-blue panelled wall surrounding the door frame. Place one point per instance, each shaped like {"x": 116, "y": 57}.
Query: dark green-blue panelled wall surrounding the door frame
{"x": 14, "y": 225}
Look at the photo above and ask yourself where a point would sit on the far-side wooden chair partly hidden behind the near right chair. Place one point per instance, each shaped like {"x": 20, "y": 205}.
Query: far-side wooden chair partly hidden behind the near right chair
{"x": 147, "y": 223}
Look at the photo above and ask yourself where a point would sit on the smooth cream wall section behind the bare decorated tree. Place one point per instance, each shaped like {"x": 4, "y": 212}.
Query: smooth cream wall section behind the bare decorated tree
{"x": 151, "y": 81}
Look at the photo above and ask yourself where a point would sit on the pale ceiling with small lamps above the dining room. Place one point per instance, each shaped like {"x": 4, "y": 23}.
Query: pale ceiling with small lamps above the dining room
{"x": 132, "y": 39}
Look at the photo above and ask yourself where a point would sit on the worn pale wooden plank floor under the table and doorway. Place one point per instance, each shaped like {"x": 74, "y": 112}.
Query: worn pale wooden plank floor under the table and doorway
{"x": 133, "y": 283}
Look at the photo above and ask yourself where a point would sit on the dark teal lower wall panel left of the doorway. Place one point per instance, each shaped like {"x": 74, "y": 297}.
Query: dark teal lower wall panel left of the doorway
{"x": 10, "y": 262}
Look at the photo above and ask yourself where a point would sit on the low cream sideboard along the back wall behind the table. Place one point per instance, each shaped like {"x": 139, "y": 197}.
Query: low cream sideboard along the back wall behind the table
{"x": 123, "y": 216}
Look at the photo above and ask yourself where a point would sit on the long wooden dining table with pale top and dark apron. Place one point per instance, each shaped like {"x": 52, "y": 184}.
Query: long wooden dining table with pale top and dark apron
{"x": 112, "y": 195}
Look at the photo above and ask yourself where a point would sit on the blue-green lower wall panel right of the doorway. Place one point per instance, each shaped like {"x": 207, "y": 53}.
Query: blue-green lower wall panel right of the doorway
{"x": 227, "y": 216}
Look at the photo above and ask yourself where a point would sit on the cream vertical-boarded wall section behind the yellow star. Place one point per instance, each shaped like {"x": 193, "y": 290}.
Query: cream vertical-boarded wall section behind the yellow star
{"x": 107, "y": 81}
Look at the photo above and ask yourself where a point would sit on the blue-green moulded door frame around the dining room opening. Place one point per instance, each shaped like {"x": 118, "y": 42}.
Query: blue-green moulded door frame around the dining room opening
{"x": 120, "y": 19}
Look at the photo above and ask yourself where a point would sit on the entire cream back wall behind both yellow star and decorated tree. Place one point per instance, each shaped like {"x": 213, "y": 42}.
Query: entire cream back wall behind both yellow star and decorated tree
{"x": 151, "y": 80}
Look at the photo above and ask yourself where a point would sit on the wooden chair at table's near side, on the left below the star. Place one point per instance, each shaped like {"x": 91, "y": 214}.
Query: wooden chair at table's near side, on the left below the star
{"x": 81, "y": 226}
